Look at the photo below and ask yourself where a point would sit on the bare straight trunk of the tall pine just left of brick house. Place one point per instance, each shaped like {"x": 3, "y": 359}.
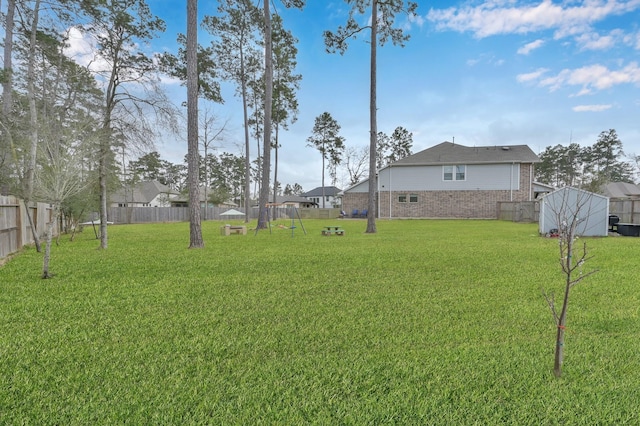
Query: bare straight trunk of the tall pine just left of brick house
{"x": 371, "y": 217}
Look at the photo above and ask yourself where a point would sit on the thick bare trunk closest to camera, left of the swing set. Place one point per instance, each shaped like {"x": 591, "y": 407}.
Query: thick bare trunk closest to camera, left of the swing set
{"x": 195, "y": 235}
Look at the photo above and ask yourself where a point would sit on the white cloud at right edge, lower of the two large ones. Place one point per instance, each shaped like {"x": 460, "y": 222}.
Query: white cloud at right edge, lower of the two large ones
{"x": 589, "y": 78}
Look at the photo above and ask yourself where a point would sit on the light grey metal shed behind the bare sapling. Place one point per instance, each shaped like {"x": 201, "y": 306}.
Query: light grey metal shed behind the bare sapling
{"x": 565, "y": 204}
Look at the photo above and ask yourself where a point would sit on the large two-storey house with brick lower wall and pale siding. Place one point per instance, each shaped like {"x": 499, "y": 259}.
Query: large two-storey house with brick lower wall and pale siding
{"x": 450, "y": 181}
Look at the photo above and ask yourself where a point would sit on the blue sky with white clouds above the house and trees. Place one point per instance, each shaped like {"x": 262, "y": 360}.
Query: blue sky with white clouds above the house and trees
{"x": 494, "y": 72}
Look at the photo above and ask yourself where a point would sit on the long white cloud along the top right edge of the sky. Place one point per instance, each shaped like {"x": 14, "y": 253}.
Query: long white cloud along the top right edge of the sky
{"x": 495, "y": 17}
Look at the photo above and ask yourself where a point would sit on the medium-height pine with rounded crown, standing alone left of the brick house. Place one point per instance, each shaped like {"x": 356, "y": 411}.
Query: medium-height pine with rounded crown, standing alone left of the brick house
{"x": 326, "y": 139}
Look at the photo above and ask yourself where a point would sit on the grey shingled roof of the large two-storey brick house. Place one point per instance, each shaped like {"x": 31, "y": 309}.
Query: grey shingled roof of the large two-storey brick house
{"x": 451, "y": 153}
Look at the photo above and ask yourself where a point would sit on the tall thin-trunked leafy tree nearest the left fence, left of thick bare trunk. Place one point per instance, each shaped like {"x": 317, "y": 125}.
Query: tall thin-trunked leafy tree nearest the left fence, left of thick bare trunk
{"x": 121, "y": 28}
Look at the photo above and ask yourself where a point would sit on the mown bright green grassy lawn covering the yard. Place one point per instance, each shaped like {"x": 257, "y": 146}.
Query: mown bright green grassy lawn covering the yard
{"x": 425, "y": 322}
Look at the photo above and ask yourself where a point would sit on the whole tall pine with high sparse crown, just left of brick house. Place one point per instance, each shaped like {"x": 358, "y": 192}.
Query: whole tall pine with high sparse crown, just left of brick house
{"x": 383, "y": 13}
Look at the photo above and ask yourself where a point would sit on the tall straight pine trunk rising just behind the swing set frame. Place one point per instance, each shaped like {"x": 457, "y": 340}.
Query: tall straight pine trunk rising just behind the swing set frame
{"x": 268, "y": 98}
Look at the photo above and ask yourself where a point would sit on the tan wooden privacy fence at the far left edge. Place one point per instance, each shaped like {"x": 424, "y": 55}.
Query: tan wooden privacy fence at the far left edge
{"x": 15, "y": 231}
